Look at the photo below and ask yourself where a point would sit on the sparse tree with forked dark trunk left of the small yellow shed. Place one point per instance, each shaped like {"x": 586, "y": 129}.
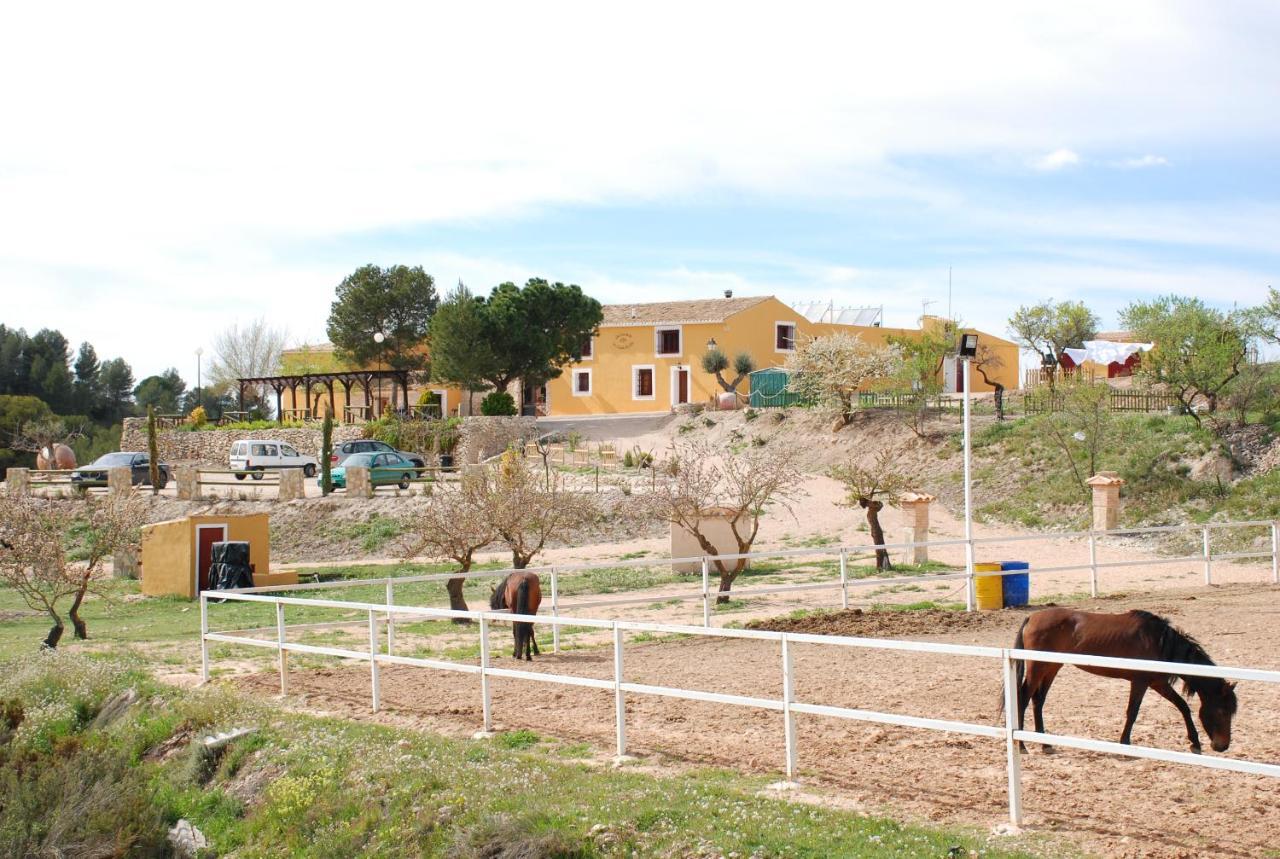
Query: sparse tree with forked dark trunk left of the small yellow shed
{"x": 52, "y": 551}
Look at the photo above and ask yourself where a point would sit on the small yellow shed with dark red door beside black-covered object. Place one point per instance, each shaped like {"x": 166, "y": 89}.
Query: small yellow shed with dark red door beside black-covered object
{"x": 177, "y": 554}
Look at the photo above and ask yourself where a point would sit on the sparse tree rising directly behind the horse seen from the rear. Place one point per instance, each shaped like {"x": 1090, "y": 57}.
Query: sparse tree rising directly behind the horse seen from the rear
{"x": 529, "y": 511}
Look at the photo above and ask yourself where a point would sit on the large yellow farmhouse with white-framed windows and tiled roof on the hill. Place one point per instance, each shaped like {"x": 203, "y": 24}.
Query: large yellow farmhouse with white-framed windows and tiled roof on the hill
{"x": 647, "y": 359}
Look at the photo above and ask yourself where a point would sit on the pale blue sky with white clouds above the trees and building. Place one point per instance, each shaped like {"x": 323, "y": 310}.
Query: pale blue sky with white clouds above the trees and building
{"x": 168, "y": 171}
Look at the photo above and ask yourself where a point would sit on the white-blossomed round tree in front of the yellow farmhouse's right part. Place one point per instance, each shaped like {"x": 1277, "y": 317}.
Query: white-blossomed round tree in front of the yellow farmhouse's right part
{"x": 831, "y": 371}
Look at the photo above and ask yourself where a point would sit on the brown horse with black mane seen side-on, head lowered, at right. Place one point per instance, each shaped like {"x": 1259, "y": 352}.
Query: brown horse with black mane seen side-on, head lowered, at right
{"x": 1132, "y": 636}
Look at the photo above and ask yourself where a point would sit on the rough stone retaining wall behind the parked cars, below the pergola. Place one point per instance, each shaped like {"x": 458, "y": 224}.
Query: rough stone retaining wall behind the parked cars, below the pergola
{"x": 481, "y": 438}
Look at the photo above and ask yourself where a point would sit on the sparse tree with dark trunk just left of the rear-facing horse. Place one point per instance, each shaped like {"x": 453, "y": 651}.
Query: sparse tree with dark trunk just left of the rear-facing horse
{"x": 454, "y": 526}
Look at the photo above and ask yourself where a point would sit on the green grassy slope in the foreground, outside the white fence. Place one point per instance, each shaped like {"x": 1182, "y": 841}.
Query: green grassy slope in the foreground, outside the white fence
{"x": 330, "y": 788}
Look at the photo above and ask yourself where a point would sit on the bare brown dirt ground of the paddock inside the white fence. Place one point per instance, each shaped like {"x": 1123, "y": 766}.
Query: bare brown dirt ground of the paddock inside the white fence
{"x": 1094, "y": 802}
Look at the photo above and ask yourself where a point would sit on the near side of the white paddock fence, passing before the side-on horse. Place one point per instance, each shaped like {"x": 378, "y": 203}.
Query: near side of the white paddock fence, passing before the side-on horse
{"x": 788, "y": 703}
